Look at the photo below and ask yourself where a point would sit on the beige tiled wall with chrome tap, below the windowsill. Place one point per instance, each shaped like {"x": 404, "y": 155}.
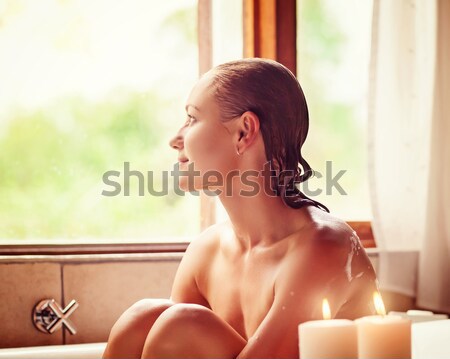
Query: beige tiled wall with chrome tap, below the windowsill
{"x": 103, "y": 285}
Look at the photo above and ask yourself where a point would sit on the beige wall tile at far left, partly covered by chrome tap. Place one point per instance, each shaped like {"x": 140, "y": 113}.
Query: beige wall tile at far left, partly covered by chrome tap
{"x": 22, "y": 286}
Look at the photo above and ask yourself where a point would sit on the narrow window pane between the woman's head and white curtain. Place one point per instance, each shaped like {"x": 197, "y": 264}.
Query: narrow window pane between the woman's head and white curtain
{"x": 333, "y": 48}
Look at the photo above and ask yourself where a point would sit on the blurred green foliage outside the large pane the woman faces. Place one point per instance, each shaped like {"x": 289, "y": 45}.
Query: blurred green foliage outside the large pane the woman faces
{"x": 52, "y": 162}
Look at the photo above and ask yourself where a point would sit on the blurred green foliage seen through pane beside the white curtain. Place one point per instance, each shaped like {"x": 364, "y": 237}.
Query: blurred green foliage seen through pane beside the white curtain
{"x": 335, "y": 129}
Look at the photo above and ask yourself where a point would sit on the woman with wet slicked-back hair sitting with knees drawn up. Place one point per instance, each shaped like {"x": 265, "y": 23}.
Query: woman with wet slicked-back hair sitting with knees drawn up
{"x": 244, "y": 285}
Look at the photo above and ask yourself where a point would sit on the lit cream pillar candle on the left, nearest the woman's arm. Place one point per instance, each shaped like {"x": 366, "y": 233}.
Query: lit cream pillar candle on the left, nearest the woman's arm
{"x": 328, "y": 338}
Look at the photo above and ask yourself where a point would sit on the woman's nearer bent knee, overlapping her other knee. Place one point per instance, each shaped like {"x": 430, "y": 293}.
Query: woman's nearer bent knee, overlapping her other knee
{"x": 192, "y": 331}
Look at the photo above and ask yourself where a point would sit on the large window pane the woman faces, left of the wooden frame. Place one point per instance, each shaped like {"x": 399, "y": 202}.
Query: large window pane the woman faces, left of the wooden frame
{"x": 90, "y": 87}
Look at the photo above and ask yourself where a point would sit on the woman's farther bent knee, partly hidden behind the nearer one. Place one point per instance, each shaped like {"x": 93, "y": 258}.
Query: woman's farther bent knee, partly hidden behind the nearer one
{"x": 128, "y": 334}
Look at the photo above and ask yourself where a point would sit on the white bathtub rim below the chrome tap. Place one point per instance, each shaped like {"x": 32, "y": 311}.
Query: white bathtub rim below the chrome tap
{"x": 70, "y": 351}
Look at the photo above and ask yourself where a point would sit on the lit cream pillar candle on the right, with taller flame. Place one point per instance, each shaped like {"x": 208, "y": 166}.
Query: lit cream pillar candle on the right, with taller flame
{"x": 381, "y": 336}
